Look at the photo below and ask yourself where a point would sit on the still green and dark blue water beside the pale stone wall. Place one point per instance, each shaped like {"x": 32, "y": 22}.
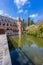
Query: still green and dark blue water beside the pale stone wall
{"x": 29, "y": 50}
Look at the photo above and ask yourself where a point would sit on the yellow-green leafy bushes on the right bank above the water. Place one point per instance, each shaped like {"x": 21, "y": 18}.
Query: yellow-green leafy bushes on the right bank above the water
{"x": 38, "y": 32}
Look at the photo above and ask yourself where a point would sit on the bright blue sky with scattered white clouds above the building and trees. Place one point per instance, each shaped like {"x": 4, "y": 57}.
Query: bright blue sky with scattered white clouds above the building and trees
{"x": 22, "y": 9}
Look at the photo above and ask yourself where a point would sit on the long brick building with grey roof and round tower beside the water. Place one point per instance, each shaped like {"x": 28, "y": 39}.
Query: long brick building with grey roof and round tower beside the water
{"x": 11, "y": 26}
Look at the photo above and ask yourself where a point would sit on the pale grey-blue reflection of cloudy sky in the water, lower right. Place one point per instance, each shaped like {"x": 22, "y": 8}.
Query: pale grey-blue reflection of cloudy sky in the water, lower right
{"x": 34, "y": 53}
